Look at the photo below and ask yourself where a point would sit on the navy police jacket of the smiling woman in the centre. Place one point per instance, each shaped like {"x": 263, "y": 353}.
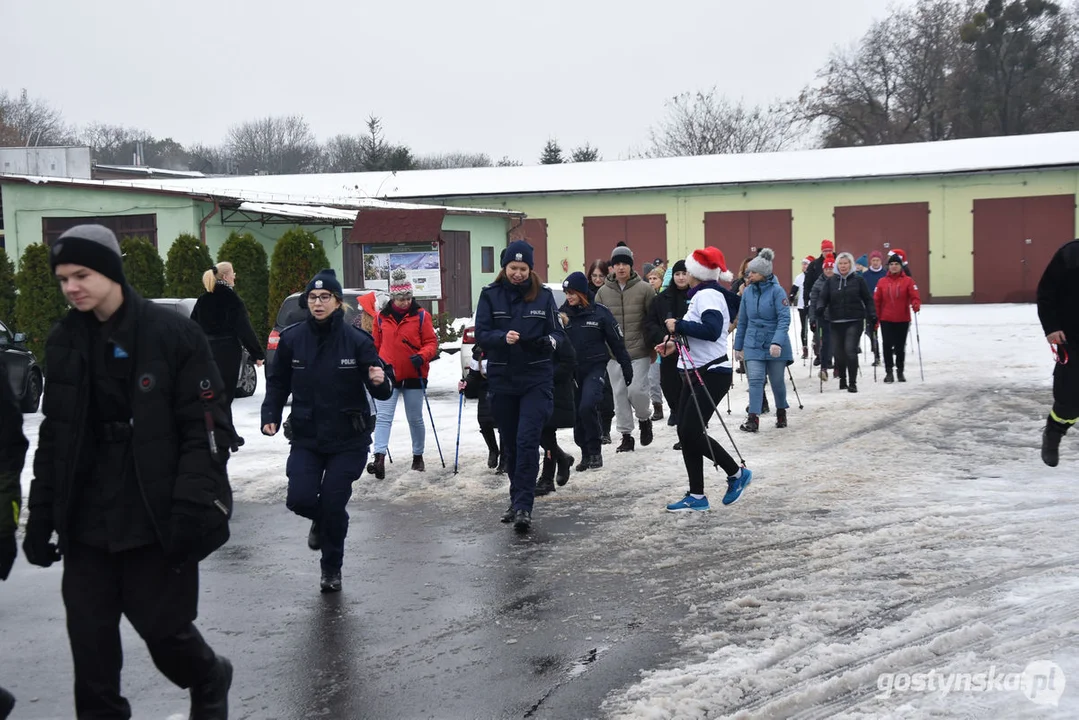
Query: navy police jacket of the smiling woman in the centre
{"x": 514, "y": 370}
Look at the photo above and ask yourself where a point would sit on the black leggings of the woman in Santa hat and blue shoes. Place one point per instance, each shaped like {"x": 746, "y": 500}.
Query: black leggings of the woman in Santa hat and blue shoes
{"x": 693, "y": 427}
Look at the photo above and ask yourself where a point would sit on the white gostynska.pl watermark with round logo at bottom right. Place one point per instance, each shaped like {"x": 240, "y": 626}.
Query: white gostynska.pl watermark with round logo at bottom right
{"x": 1042, "y": 683}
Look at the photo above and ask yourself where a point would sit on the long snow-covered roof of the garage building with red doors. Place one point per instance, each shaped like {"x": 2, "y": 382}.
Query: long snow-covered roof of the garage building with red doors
{"x": 950, "y": 157}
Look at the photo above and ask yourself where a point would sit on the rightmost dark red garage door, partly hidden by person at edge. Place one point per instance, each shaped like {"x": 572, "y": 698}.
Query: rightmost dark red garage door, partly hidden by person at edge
{"x": 1015, "y": 240}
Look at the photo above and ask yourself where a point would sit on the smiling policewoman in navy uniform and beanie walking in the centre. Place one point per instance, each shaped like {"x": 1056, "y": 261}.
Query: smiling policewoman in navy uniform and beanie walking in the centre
{"x": 517, "y": 325}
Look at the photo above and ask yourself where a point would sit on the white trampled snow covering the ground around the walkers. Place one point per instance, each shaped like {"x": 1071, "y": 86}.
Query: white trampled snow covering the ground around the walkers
{"x": 907, "y": 529}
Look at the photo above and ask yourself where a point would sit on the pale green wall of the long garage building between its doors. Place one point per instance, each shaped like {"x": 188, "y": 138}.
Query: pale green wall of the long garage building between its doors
{"x": 951, "y": 205}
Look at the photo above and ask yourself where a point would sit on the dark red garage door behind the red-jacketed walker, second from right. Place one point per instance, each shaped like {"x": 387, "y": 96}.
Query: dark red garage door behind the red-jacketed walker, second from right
{"x": 861, "y": 229}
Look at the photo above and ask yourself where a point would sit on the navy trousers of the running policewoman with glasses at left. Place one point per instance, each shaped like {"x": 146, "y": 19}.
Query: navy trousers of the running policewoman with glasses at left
{"x": 320, "y": 486}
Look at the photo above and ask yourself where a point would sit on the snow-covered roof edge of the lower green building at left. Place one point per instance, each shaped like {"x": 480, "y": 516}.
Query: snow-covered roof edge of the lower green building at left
{"x": 340, "y": 208}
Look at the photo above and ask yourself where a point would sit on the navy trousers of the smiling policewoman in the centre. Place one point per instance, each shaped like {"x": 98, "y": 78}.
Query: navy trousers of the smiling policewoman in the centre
{"x": 521, "y": 420}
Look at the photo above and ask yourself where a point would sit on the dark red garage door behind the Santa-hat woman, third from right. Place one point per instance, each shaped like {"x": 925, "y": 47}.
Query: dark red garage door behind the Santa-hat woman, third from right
{"x": 742, "y": 234}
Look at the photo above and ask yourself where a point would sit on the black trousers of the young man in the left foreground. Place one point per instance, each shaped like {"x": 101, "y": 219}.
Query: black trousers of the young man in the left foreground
{"x": 160, "y": 603}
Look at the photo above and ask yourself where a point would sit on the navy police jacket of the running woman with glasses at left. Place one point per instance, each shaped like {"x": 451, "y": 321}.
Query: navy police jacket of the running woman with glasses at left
{"x": 324, "y": 366}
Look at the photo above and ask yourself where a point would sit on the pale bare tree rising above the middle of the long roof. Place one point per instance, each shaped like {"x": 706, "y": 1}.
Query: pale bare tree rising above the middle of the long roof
{"x": 708, "y": 124}
